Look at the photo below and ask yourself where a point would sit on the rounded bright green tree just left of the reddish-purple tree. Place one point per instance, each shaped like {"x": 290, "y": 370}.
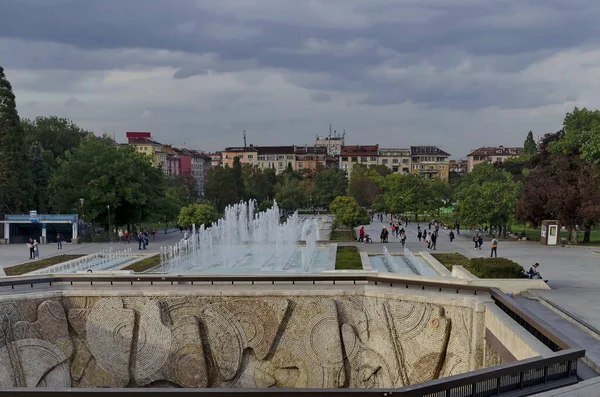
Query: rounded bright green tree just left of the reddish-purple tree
{"x": 487, "y": 195}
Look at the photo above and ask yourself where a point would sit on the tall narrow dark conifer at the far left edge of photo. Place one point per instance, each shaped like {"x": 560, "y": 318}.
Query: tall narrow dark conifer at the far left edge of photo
{"x": 15, "y": 187}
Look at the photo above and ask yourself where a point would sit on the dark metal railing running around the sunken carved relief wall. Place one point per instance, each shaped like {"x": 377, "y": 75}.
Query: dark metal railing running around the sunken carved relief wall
{"x": 520, "y": 378}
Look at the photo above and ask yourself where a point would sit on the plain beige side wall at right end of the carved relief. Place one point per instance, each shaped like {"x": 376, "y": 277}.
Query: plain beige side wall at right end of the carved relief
{"x": 520, "y": 343}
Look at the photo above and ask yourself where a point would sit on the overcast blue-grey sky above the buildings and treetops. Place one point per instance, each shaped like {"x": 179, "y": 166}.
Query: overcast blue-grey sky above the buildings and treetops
{"x": 458, "y": 74}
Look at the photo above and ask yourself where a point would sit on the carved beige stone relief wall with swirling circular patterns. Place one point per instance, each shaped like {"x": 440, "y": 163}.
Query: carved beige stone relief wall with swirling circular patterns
{"x": 239, "y": 342}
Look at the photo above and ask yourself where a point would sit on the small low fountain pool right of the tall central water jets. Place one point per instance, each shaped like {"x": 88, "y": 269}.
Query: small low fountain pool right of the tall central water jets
{"x": 402, "y": 264}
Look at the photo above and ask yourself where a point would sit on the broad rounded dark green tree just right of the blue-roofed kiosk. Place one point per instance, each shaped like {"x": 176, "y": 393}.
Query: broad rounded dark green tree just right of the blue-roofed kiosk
{"x": 106, "y": 175}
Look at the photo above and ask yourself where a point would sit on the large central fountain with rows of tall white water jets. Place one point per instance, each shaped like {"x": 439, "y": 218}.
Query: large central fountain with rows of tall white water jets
{"x": 245, "y": 242}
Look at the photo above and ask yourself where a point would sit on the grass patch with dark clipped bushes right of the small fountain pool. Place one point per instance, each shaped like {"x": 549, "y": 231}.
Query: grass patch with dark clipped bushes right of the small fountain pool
{"x": 482, "y": 267}
